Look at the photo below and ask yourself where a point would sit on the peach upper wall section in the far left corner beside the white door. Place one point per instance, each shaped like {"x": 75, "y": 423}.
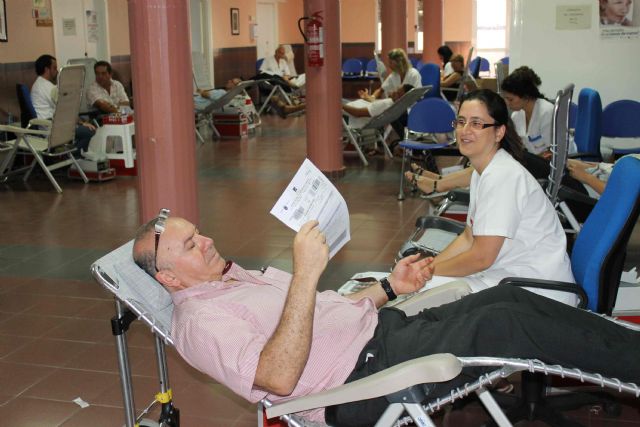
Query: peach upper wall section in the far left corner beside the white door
{"x": 26, "y": 41}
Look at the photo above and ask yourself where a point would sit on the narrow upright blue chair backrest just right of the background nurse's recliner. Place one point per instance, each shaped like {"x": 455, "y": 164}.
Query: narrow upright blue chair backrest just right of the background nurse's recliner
{"x": 589, "y": 121}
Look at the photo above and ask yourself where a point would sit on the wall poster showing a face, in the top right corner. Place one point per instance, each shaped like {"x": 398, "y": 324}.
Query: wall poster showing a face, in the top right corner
{"x": 618, "y": 20}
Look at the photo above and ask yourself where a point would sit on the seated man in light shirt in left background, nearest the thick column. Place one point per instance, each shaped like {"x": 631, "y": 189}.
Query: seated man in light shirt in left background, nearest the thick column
{"x": 106, "y": 94}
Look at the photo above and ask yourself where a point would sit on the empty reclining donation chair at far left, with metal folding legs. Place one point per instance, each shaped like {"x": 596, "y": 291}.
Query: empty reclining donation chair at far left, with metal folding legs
{"x": 56, "y": 140}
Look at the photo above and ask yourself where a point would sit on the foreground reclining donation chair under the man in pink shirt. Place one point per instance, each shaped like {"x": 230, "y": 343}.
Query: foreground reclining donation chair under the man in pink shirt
{"x": 139, "y": 296}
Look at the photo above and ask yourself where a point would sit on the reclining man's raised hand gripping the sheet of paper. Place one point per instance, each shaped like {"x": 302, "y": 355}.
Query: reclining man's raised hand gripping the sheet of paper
{"x": 310, "y": 250}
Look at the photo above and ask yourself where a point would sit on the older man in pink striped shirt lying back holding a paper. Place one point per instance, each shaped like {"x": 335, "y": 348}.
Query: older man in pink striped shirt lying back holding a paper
{"x": 273, "y": 335}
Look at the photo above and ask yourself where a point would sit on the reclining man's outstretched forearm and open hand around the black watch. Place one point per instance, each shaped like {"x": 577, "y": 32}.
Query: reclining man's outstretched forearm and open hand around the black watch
{"x": 409, "y": 275}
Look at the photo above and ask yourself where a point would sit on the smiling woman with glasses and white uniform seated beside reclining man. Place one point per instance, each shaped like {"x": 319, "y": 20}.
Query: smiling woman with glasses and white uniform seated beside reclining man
{"x": 512, "y": 228}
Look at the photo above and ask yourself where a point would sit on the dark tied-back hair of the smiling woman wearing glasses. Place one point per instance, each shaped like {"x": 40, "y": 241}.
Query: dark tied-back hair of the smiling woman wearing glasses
{"x": 497, "y": 109}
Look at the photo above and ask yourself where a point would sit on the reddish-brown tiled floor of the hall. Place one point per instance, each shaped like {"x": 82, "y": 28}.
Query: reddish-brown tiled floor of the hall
{"x": 55, "y": 339}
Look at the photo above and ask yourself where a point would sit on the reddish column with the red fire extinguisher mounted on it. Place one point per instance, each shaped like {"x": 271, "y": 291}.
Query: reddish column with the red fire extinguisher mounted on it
{"x": 324, "y": 92}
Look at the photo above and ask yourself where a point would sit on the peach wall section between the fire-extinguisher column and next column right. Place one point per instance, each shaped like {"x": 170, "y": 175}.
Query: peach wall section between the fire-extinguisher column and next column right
{"x": 358, "y": 21}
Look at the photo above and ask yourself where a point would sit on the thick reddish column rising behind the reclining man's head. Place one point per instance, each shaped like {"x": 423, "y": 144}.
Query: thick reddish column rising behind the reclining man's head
{"x": 165, "y": 135}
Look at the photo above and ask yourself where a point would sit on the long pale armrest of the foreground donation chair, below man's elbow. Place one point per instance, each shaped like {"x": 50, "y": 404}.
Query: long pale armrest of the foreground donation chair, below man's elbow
{"x": 423, "y": 370}
